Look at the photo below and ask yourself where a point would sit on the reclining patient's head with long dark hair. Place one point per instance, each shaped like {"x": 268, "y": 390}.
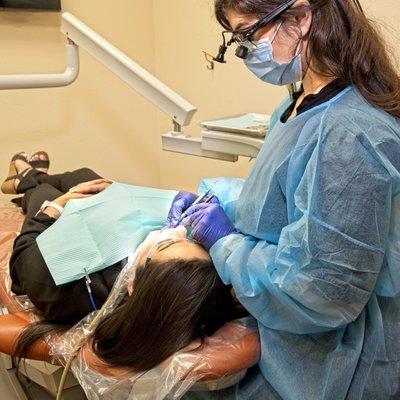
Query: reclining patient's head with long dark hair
{"x": 177, "y": 297}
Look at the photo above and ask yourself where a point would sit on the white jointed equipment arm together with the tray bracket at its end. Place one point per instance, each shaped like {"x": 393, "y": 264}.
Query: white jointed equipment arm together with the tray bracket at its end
{"x": 224, "y": 146}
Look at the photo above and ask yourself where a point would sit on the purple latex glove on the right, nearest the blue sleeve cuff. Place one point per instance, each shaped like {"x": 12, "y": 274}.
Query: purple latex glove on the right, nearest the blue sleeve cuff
{"x": 209, "y": 223}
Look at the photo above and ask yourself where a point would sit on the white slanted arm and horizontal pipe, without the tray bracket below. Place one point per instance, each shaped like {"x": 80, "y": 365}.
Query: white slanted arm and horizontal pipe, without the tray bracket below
{"x": 80, "y": 35}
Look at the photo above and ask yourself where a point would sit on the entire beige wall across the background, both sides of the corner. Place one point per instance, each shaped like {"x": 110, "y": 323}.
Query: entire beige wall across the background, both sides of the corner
{"x": 101, "y": 123}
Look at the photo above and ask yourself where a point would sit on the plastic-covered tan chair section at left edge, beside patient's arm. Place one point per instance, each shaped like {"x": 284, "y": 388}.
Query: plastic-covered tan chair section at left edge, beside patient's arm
{"x": 11, "y": 219}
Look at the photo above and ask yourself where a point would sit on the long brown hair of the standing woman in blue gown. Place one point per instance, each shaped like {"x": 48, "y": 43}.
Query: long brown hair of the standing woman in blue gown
{"x": 342, "y": 43}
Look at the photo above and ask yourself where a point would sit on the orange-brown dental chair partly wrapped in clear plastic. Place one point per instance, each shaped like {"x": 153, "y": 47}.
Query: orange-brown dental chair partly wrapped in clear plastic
{"x": 224, "y": 364}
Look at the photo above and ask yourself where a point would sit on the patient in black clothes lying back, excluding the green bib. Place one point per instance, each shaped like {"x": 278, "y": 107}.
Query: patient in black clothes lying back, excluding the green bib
{"x": 176, "y": 296}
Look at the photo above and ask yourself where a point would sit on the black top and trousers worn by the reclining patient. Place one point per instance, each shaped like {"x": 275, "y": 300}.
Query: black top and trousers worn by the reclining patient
{"x": 64, "y": 304}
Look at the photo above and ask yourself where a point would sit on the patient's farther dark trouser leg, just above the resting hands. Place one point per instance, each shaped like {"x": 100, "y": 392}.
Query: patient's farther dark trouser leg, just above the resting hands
{"x": 62, "y": 182}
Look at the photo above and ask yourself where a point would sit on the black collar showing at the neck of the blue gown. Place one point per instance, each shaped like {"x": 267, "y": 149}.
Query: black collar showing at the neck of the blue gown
{"x": 327, "y": 93}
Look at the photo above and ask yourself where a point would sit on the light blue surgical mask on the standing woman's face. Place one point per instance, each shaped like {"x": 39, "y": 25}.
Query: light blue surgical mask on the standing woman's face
{"x": 260, "y": 61}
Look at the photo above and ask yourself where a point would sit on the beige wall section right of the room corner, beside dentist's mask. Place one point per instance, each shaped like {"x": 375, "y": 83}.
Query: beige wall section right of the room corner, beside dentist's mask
{"x": 180, "y": 37}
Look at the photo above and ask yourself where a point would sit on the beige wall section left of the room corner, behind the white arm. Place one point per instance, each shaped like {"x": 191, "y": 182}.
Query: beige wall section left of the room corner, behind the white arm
{"x": 98, "y": 121}
